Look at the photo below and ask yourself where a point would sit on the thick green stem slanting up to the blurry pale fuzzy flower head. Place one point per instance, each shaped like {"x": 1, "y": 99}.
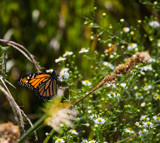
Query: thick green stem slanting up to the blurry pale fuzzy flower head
{"x": 32, "y": 129}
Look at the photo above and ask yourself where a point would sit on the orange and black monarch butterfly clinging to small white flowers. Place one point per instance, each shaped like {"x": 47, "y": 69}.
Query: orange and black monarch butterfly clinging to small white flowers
{"x": 44, "y": 84}
